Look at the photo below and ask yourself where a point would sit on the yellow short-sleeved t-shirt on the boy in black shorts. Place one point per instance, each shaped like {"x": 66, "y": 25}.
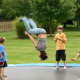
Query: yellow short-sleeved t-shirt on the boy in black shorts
{"x": 60, "y": 45}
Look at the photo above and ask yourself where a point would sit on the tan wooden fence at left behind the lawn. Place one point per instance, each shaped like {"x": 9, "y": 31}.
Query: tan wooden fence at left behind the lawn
{"x": 6, "y": 26}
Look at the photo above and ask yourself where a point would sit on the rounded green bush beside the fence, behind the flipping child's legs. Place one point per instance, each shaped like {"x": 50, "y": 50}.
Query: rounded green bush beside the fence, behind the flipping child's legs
{"x": 20, "y": 28}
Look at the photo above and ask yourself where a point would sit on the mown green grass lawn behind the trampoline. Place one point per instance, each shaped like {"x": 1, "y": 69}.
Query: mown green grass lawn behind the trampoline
{"x": 22, "y": 50}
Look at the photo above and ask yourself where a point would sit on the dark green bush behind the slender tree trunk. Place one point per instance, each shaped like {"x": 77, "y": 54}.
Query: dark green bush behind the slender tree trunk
{"x": 46, "y": 26}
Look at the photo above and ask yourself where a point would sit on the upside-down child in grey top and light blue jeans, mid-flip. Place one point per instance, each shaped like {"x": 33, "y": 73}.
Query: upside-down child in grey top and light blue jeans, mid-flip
{"x": 41, "y": 34}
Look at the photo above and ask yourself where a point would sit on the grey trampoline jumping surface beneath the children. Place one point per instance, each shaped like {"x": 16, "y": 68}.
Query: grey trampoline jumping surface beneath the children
{"x": 42, "y": 73}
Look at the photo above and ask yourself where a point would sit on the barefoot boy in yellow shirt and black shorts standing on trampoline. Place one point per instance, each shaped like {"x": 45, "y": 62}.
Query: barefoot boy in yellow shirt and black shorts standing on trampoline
{"x": 60, "y": 40}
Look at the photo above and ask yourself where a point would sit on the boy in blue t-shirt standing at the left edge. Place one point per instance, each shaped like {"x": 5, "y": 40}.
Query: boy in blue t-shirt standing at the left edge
{"x": 3, "y": 60}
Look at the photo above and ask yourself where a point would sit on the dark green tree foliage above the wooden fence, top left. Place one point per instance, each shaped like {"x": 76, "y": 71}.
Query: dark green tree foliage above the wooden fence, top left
{"x": 13, "y": 8}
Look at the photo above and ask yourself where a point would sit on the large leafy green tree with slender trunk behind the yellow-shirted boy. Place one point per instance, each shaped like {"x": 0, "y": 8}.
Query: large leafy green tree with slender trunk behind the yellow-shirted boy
{"x": 48, "y": 10}
